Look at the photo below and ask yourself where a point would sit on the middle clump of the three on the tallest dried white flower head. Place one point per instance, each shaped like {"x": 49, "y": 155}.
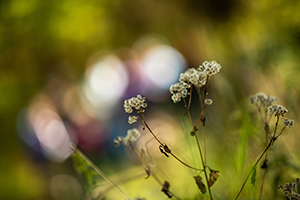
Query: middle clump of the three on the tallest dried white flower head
{"x": 194, "y": 77}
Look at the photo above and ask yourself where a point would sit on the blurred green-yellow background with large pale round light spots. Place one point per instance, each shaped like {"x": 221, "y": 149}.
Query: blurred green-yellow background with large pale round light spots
{"x": 49, "y": 52}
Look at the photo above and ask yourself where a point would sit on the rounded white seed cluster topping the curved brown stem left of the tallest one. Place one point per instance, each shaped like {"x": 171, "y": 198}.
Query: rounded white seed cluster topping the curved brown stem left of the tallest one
{"x": 138, "y": 103}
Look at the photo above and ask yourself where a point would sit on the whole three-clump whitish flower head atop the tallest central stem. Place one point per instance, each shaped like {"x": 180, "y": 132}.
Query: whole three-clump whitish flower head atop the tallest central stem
{"x": 193, "y": 77}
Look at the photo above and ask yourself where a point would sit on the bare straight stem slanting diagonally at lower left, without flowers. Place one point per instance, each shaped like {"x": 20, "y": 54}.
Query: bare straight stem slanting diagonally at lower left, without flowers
{"x": 73, "y": 146}
